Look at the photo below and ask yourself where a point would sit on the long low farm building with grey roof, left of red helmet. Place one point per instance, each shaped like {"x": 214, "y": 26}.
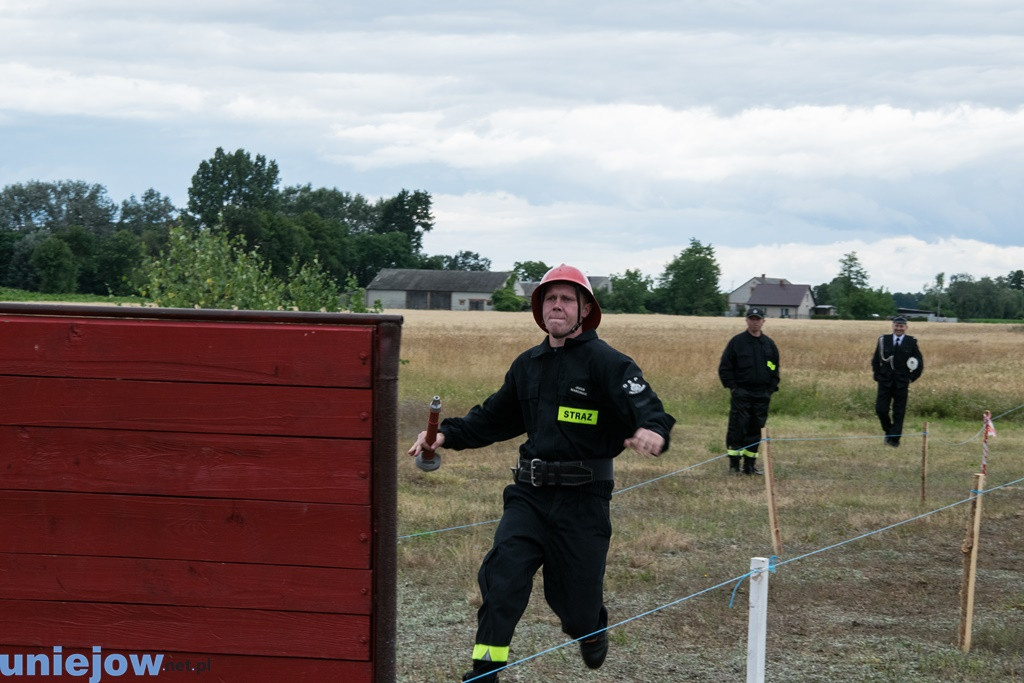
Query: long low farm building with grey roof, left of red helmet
{"x": 438, "y": 290}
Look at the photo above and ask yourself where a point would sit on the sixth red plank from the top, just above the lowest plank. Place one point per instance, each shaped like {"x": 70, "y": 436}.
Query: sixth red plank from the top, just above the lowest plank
{"x": 210, "y": 630}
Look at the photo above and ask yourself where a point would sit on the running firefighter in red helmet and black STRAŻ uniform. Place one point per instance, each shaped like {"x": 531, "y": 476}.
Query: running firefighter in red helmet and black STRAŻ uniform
{"x": 580, "y": 404}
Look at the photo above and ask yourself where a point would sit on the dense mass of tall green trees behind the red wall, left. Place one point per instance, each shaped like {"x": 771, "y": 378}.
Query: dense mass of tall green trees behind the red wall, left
{"x": 70, "y": 237}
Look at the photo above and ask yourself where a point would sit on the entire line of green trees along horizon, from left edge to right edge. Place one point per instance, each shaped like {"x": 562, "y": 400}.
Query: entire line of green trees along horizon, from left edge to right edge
{"x": 244, "y": 241}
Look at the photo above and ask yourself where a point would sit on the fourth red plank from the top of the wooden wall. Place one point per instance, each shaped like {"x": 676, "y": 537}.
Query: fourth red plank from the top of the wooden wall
{"x": 215, "y": 530}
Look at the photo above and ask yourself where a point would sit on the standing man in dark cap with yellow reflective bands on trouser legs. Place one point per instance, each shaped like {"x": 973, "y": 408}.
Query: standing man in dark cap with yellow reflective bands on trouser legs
{"x": 750, "y": 371}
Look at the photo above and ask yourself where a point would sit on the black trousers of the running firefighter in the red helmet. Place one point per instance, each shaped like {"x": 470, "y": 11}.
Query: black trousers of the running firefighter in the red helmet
{"x": 566, "y": 530}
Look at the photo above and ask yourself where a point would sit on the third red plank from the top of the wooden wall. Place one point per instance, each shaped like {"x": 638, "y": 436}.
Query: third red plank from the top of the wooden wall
{"x": 315, "y": 471}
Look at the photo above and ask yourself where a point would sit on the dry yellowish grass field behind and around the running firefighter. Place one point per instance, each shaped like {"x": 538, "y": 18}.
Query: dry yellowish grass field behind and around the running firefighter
{"x": 860, "y": 594}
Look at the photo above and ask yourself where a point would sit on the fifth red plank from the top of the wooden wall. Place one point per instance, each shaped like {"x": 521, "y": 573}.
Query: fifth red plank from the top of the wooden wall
{"x": 185, "y": 583}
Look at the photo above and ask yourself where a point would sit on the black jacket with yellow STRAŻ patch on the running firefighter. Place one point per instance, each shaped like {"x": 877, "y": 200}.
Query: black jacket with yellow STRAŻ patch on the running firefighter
{"x": 579, "y": 402}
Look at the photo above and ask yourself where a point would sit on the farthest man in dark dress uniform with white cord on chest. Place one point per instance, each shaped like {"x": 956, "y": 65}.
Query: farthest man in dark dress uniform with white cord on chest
{"x": 897, "y": 364}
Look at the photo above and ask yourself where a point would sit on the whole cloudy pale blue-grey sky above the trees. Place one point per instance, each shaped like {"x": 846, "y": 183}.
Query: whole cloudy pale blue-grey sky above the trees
{"x": 605, "y": 135}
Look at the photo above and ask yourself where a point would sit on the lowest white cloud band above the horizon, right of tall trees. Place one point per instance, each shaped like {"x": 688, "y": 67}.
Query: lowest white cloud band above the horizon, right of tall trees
{"x": 506, "y": 230}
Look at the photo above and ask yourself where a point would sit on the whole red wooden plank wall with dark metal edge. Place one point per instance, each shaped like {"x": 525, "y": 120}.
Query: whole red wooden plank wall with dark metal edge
{"x": 216, "y": 487}
